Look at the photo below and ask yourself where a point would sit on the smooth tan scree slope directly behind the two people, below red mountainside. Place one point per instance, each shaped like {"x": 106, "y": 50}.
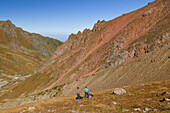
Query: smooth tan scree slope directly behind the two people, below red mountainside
{"x": 153, "y": 66}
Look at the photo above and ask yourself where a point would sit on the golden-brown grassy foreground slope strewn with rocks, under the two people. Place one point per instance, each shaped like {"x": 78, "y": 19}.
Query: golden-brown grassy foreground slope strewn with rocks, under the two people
{"x": 138, "y": 96}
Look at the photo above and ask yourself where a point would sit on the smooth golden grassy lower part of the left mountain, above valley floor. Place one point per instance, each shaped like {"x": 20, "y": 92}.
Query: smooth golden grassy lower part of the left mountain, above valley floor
{"x": 16, "y": 62}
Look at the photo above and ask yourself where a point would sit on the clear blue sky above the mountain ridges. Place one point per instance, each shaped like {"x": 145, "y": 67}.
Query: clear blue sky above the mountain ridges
{"x": 59, "y": 18}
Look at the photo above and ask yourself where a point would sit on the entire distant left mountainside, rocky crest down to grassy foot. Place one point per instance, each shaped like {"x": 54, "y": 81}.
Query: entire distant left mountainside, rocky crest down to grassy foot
{"x": 22, "y": 52}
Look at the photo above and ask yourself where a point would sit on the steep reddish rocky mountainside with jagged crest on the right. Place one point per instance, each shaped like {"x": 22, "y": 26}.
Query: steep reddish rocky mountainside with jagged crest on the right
{"x": 108, "y": 44}
